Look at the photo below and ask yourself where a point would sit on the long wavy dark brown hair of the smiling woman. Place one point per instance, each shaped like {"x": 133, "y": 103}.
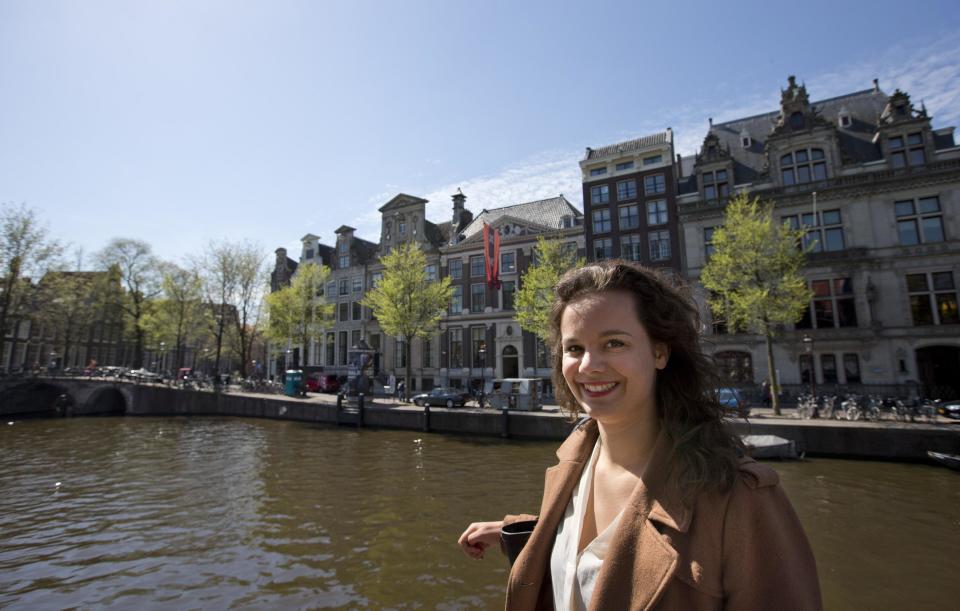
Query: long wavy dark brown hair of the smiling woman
{"x": 706, "y": 452}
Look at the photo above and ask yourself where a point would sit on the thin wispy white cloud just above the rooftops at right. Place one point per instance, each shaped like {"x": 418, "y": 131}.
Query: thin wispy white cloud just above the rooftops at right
{"x": 929, "y": 73}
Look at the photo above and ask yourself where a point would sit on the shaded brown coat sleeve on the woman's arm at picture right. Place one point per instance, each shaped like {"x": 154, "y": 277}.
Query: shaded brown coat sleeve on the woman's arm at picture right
{"x": 767, "y": 560}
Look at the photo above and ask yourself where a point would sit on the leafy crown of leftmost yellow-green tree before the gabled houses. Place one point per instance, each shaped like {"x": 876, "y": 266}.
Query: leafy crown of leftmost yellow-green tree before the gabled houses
{"x": 297, "y": 313}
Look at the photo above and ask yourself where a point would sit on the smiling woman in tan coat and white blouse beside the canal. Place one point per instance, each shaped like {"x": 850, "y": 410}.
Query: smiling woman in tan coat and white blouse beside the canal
{"x": 652, "y": 504}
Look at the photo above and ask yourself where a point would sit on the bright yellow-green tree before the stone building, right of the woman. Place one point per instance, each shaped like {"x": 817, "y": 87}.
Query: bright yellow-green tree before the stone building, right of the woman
{"x": 754, "y": 275}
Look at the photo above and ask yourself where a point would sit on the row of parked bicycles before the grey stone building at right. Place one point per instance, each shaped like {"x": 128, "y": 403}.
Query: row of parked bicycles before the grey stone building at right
{"x": 873, "y": 408}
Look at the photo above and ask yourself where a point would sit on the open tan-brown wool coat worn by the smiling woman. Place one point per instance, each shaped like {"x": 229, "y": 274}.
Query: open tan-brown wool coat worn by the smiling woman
{"x": 742, "y": 550}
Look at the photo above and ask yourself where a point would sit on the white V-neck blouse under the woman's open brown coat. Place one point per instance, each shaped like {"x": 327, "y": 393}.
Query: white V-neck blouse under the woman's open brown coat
{"x": 574, "y": 575}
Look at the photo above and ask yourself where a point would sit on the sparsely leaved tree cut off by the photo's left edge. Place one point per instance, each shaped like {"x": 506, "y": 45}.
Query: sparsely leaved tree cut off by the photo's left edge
{"x": 26, "y": 252}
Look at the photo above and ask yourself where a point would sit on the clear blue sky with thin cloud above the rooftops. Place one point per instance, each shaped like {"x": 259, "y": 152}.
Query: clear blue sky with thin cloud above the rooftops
{"x": 182, "y": 121}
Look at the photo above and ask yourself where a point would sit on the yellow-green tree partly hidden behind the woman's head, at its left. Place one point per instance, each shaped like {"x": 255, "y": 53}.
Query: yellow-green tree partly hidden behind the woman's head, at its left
{"x": 535, "y": 296}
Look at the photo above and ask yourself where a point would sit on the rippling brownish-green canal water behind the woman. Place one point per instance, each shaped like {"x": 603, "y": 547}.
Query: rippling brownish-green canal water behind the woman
{"x": 234, "y": 513}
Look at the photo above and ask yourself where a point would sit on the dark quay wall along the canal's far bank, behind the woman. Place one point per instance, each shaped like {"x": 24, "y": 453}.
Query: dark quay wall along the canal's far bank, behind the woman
{"x": 888, "y": 441}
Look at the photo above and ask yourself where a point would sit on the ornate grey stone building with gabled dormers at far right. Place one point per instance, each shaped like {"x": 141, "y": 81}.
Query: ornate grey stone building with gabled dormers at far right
{"x": 877, "y": 188}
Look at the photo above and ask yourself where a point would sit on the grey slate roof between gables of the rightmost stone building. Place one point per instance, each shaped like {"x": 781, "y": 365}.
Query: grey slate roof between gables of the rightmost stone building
{"x": 749, "y": 165}
